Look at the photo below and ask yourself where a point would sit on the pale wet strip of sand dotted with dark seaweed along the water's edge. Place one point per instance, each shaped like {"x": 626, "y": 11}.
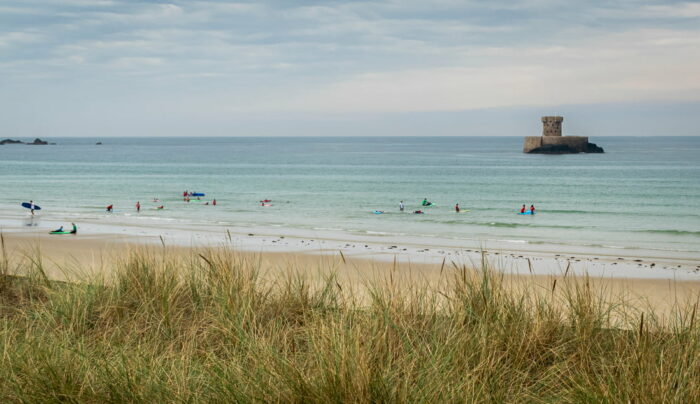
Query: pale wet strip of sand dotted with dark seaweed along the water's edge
{"x": 508, "y": 258}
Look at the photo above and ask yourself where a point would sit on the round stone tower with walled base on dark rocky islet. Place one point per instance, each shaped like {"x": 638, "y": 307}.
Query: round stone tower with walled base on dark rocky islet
{"x": 552, "y": 142}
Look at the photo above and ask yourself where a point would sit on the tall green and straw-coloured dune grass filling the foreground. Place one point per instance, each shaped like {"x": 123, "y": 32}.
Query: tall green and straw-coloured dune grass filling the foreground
{"x": 213, "y": 328}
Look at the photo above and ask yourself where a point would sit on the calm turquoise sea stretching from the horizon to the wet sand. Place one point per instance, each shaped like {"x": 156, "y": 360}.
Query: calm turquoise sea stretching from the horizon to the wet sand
{"x": 642, "y": 194}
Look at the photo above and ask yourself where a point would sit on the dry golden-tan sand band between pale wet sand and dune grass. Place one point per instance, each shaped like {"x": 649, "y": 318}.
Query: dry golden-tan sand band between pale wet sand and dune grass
{"x": 93, "y": 257}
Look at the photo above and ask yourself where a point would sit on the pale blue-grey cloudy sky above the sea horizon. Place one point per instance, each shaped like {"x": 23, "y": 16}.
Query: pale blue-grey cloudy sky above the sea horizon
{"x": 348, "y": 68}
